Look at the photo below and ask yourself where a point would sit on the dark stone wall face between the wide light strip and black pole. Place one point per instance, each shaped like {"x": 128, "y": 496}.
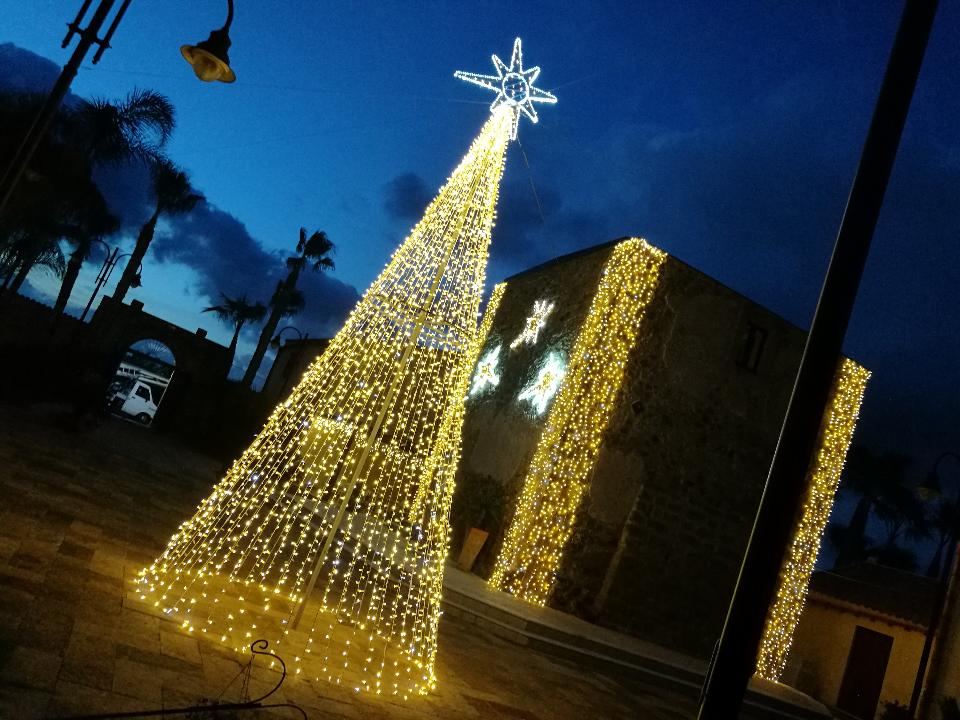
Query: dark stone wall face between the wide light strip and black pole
{"x": 691, "y": 443}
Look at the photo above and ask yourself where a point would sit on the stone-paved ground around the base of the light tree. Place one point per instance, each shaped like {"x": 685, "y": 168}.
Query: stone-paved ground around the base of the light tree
{"x": 80, "y": 510}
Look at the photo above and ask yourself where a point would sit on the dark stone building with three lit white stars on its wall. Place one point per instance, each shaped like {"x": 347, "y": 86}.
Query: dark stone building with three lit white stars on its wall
{"x": 669, "y": 500}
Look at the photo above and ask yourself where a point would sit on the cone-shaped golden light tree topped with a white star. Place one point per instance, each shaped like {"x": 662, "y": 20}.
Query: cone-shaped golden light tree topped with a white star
{"x": 328, "y": 535}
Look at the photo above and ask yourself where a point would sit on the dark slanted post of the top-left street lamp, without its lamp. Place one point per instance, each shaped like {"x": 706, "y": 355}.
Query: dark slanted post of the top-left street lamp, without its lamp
{"x": 39, "y": 127}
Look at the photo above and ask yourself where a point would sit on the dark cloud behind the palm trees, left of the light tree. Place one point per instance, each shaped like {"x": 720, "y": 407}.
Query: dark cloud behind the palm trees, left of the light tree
{"x": 226, "y": 258}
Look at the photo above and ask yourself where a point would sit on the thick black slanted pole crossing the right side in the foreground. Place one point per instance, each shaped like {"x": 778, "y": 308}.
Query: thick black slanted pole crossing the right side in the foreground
{"x": 735, "y": 658}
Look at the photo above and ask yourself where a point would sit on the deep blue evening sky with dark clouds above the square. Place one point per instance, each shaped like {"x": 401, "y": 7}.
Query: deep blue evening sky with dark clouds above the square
{"x": 725, "y": 133}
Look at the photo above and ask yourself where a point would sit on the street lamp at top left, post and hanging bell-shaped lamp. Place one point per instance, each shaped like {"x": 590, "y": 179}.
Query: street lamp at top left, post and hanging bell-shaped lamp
{"x": 206, "y": 54}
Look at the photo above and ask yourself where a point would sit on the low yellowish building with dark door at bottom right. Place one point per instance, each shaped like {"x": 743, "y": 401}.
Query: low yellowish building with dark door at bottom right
{"x": 858, "y": 642}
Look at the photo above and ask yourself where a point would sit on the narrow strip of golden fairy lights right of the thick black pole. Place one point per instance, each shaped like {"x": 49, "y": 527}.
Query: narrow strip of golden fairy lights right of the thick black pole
{"x": 836, "y": 432}
